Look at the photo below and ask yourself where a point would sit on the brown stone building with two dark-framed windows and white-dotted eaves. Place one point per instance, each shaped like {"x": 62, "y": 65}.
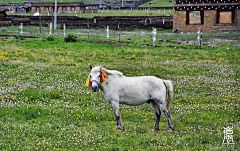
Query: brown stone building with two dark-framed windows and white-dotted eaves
{"x": 208, "y": 15}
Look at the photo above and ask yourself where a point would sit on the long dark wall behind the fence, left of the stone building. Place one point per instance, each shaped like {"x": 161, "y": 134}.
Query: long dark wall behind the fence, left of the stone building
{"x": 124, "y": 22}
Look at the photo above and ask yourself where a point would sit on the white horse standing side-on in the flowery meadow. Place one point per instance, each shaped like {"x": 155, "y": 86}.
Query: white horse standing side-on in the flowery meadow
{"x": 119, "y": 89}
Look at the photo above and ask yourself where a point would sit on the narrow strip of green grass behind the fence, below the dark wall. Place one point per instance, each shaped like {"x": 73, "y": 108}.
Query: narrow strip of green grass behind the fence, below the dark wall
{"x": 135, "y": 36}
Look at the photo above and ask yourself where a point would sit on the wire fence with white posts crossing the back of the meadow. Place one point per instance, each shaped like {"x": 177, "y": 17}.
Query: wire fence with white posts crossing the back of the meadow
{"x": 121, "y": 34}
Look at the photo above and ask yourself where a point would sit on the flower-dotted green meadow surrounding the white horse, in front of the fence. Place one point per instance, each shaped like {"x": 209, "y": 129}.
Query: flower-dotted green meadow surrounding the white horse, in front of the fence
{"x": 45, "y": 105}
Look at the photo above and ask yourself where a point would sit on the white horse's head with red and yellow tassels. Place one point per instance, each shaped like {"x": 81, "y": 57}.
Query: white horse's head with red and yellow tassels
{"x": 96, "y": 77}
